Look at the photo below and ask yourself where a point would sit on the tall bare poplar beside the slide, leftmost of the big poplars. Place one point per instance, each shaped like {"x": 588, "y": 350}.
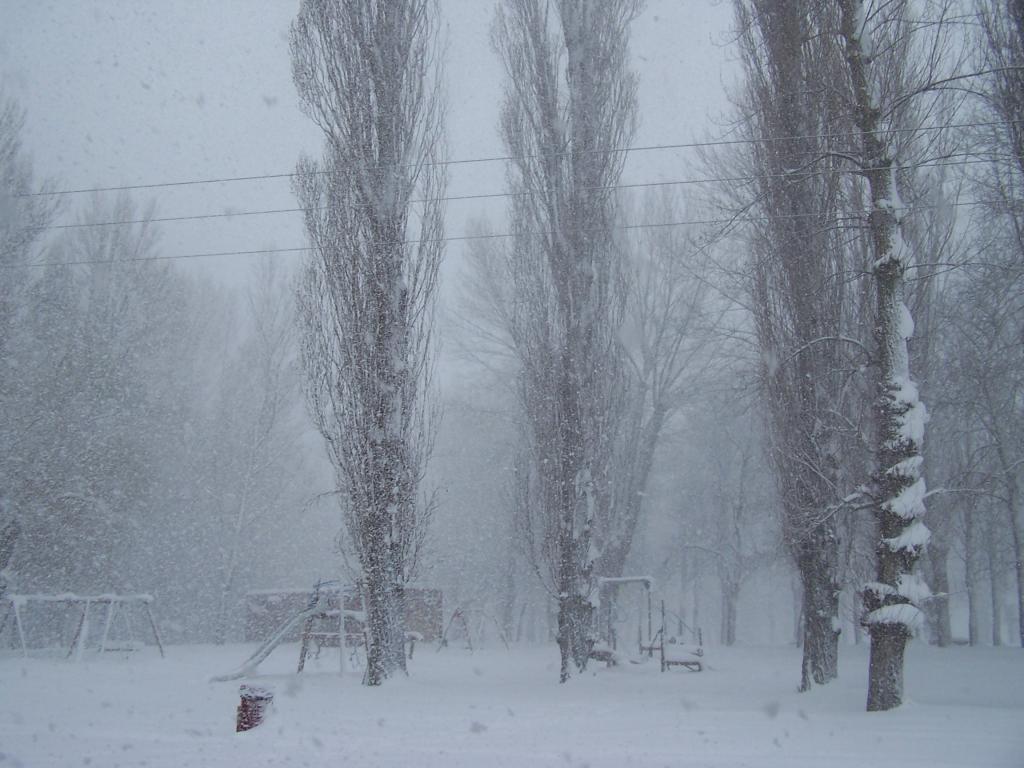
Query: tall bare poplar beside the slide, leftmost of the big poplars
{"x": 367, "y": 75}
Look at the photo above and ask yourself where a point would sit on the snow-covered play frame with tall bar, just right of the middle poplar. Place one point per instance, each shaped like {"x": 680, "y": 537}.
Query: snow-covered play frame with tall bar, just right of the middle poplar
{"x": 672, "y": 651}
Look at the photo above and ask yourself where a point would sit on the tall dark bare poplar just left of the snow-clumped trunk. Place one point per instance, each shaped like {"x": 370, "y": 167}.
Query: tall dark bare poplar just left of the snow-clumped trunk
{"x": 803, "y": 292}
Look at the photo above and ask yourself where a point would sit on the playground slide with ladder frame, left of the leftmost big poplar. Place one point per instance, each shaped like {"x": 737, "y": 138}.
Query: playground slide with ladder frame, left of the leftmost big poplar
{"x": 325, "y": 607}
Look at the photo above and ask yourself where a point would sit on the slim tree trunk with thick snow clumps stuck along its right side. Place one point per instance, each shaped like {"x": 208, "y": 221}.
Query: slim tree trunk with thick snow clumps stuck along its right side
{"x": 900, "y": 416}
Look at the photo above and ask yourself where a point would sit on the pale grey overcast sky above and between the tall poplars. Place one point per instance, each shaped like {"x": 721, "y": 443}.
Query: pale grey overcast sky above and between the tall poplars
{"x": 141, "y": 92}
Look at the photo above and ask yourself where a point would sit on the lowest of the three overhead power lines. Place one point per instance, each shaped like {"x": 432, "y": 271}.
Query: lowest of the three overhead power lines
{"x": 464, "y": 238}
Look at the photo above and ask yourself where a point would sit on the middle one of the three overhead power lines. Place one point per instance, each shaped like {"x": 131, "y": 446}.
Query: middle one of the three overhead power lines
{"x": 491, "y": 196}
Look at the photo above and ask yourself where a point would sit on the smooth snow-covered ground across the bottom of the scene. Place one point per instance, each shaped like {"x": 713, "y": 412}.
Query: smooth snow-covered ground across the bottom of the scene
{"x": 498, "y": 708}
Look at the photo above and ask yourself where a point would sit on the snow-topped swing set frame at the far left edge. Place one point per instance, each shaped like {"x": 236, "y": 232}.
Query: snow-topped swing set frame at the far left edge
{"x": 117, "y": 608}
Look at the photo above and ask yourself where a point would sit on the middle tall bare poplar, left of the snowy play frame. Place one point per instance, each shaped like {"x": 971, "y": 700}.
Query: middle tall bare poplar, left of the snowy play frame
{"x": 570, "y": 101}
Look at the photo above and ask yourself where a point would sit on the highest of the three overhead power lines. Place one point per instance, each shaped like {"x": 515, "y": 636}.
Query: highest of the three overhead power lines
{"x": 509, "y": 158}
